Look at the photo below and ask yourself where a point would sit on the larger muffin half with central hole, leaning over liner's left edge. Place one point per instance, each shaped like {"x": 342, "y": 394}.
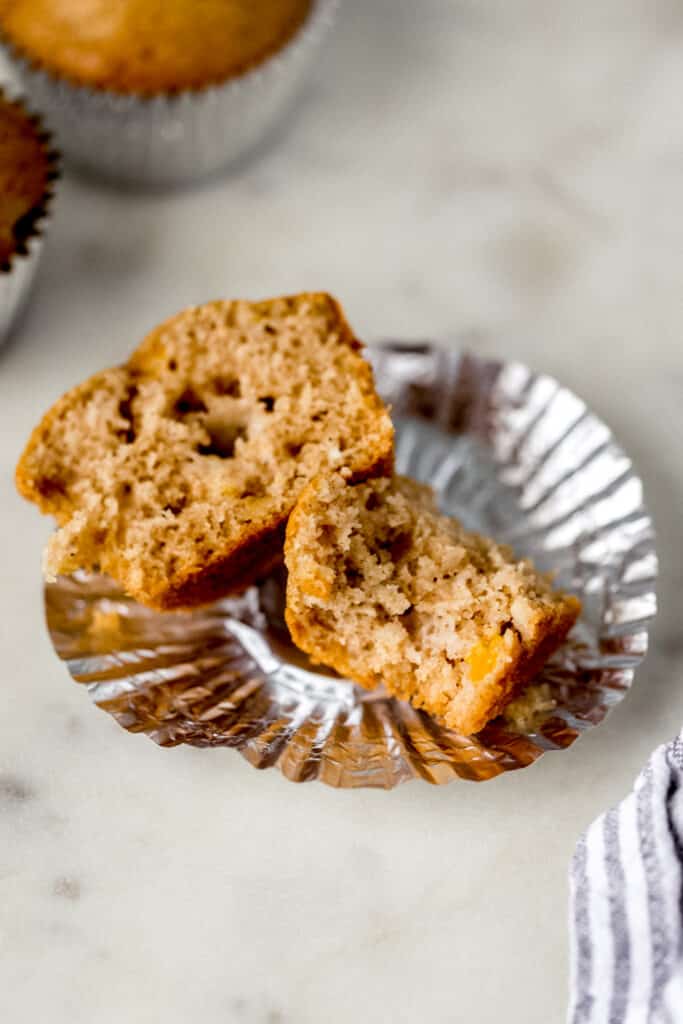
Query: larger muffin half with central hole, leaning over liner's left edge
{"x": 176, "y": 474}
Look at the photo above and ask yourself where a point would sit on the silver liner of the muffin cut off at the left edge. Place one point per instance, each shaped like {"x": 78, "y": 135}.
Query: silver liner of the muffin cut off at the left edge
{"x": 17, "y": 279}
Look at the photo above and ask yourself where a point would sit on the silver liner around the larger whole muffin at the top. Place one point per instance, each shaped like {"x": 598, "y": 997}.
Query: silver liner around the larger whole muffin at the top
{"x": 174, "y": 140}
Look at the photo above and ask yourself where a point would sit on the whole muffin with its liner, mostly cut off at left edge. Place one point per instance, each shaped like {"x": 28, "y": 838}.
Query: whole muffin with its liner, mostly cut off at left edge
{"x": 28, "y": 170}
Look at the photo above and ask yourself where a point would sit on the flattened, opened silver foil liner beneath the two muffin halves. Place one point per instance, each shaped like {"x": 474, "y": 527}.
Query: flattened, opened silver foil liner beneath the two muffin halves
{"x": 513, "y": 454}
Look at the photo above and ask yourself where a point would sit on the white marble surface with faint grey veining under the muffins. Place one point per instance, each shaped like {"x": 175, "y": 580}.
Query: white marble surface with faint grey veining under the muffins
{"x": 508, "y": 173}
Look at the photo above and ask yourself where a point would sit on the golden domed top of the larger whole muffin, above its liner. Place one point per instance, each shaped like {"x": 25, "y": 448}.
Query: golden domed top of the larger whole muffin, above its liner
{"x": 150, "y": 47}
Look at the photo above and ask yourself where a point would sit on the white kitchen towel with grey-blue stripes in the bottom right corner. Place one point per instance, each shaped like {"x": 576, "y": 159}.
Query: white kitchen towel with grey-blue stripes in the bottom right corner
{"x": 627, "y": 905}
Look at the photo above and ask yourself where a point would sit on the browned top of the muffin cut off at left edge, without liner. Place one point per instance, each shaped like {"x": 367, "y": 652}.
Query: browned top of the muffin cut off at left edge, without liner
{"x": 25, "y": 176}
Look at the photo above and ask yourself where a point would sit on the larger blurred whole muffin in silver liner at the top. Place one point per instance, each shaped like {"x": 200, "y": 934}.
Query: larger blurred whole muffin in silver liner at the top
{"x": 161, "y": 91}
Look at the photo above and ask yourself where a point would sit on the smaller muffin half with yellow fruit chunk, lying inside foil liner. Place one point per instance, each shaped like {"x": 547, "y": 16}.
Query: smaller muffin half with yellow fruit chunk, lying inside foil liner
{"x": 385, "y": 589}
